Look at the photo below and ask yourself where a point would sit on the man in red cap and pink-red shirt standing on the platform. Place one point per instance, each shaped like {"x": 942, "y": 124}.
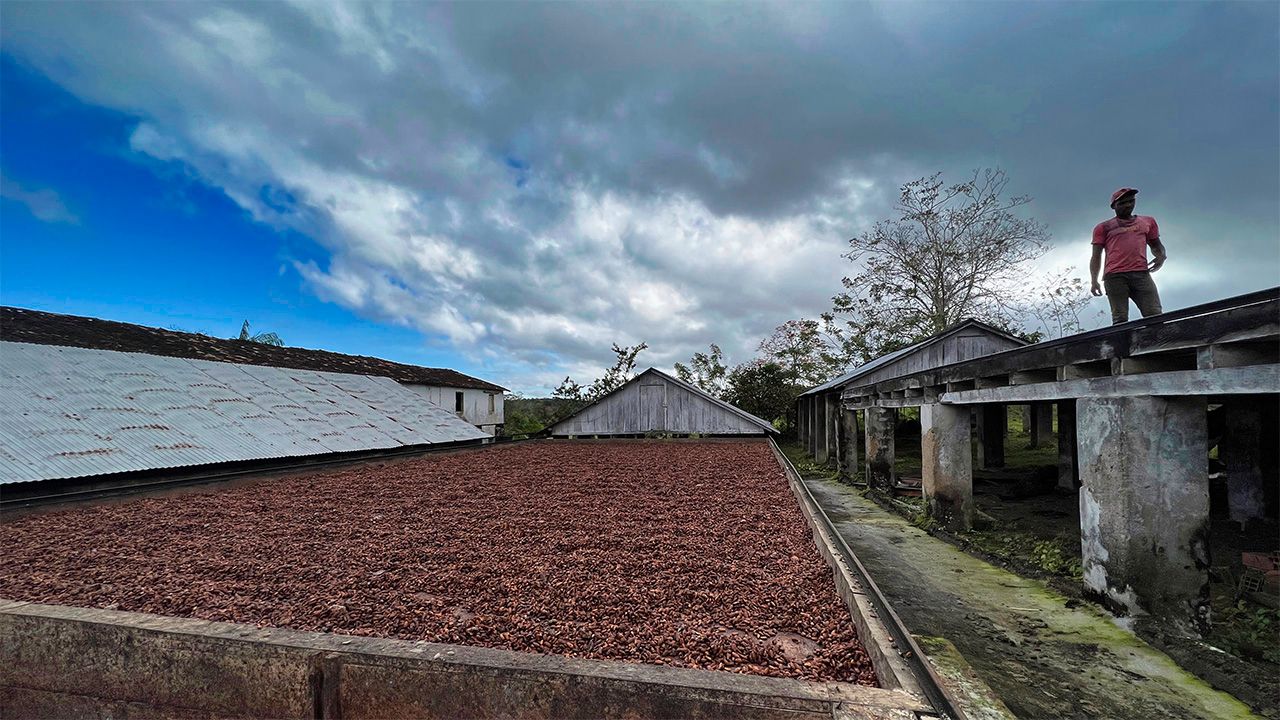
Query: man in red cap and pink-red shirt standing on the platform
{"x": 1128, "y": 275}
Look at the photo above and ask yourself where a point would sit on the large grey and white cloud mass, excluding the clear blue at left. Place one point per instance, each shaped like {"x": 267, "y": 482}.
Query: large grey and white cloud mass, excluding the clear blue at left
{"x": 537, "y": 184}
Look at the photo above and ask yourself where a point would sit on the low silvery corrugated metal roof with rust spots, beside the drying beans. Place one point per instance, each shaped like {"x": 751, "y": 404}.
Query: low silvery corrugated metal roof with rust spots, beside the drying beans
{"x": 70, "y": 412}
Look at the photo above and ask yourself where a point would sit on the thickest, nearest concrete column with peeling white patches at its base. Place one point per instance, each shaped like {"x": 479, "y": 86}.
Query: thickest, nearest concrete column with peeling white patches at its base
{"x": 1145, "y": 505}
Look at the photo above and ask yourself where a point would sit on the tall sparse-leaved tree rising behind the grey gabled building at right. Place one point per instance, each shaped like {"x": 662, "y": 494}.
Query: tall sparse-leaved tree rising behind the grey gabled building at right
{"x": 954, "y": 253}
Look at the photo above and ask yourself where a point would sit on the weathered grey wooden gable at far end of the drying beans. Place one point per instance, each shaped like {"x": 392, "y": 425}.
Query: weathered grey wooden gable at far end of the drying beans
{"x": 657, "y": 403}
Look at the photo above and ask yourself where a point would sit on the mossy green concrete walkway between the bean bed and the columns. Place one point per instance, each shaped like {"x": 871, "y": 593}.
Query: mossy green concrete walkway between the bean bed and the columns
{"x": 1040, "y": 657}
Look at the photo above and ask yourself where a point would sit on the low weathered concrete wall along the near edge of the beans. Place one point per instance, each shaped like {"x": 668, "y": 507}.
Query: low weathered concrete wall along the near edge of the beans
{"x": 70, "y": 662}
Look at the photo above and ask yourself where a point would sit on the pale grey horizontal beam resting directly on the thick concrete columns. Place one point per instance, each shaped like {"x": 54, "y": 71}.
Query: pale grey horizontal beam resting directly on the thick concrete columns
{"x": 1258, "y": 380}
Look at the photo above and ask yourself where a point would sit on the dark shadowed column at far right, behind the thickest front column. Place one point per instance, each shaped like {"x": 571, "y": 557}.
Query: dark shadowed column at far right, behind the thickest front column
{"x": 1240, "y": 450}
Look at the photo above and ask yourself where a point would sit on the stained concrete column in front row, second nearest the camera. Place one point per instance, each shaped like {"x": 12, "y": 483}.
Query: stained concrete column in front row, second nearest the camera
{"x": 948, "y": 464}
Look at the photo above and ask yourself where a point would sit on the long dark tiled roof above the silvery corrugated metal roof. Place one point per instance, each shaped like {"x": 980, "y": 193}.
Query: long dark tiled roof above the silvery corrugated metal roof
{"x": 19, "y": 325}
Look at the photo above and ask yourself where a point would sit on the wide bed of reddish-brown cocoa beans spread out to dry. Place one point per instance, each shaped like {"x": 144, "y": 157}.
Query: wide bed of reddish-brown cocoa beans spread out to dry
{"x": 689, "y": 554}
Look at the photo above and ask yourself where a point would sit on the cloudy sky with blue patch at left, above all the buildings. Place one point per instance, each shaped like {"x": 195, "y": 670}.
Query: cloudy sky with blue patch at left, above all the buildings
{"x": 509, "y": 189}
